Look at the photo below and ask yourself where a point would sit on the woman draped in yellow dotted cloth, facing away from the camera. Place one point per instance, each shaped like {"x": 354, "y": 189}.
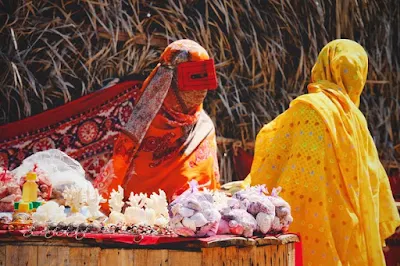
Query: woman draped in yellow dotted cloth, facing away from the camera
{"x": 321, "y": 153}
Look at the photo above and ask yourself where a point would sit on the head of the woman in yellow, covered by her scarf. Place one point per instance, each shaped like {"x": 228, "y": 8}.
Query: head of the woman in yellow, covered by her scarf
{"x": 345, "y": 63}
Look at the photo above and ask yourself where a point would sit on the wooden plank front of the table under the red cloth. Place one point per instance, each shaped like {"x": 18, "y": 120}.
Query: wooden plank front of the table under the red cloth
{"x": 37, "y": 251}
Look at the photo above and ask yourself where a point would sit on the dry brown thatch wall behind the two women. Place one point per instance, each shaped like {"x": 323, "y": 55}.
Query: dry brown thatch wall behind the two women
{"x": 54, "y": 51}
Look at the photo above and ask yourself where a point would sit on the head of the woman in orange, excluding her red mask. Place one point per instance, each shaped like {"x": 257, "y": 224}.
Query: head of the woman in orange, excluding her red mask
{"x": 179, "y": 52}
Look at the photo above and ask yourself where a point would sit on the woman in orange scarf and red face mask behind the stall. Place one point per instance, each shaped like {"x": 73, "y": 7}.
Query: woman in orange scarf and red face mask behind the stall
{"x": 169, "y": 139}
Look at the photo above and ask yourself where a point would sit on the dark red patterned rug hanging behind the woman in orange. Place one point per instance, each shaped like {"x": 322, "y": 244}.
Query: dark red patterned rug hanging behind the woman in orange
{"x": 85, "y": 128}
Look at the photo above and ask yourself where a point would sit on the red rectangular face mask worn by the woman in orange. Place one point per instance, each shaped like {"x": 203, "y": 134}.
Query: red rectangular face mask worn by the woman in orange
{"x": 199, "y": 75}
